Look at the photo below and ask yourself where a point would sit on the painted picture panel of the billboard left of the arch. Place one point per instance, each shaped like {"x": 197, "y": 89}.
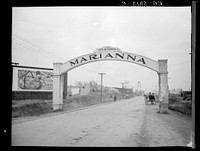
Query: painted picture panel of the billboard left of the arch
{"x": 34, "y": 80}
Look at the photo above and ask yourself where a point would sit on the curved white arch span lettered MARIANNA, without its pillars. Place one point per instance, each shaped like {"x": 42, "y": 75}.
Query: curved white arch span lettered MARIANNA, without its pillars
{"x": 109, "y": 53}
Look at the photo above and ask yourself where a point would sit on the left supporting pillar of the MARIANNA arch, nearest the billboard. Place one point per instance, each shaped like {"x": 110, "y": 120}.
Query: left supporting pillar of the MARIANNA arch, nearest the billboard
{"x": 58, "y": 81}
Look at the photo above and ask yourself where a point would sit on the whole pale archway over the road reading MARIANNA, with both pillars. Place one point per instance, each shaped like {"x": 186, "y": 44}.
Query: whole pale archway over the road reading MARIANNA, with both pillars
{"x": 60, "y": 71}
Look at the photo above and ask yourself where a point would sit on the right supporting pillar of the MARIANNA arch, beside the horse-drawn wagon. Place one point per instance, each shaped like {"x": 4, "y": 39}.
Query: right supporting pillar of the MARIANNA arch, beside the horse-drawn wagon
{"x": 163, "y": 86}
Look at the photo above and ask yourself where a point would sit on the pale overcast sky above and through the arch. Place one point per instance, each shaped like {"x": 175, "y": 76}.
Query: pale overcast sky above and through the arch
{"x": 44, "y": 35}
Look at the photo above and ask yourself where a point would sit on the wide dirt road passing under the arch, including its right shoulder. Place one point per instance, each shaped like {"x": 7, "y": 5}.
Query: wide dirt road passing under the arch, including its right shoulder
{"x": 121, "y": 123}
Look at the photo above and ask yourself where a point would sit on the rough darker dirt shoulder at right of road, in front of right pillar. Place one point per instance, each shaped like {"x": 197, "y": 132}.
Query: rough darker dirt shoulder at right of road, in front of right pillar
{"x": 162, "y": 129}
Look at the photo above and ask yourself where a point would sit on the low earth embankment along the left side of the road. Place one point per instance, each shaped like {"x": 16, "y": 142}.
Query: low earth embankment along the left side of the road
{"x": 22, "y": 108}
